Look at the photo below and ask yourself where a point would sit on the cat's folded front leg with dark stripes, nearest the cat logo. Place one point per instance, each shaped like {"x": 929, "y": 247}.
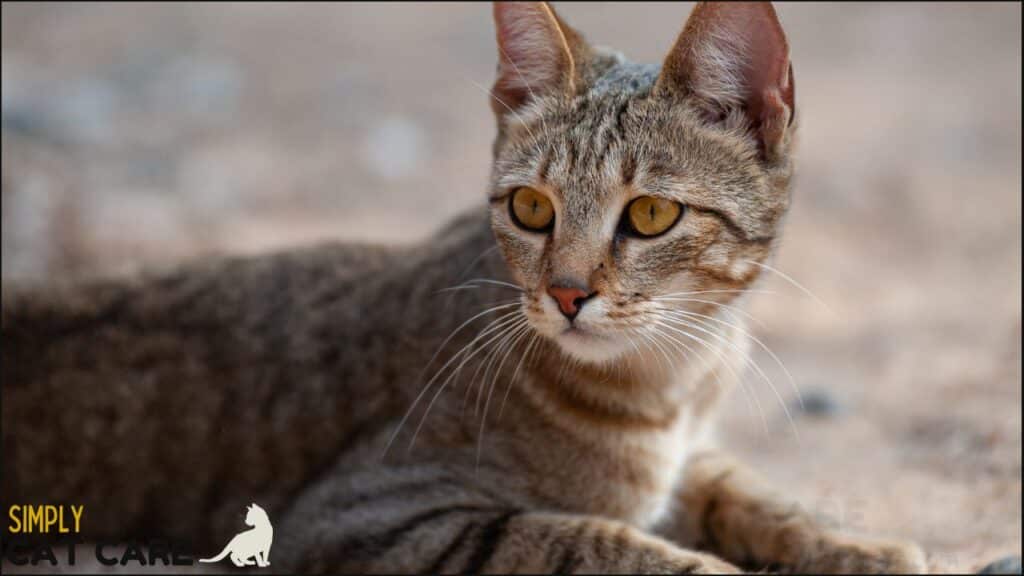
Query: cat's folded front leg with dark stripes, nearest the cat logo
{"x": 402, "y": 524}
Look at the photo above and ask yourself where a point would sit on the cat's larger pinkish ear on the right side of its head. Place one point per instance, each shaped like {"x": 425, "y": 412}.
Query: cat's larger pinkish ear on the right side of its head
{"x": 734, "y": 57}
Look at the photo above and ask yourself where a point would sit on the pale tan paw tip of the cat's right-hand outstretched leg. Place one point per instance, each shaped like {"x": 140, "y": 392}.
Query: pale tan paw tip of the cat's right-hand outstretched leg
{"x": 856, "y": 555}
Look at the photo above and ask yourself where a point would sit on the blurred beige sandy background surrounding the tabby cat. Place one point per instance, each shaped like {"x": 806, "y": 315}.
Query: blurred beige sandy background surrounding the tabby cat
{"x": 141, "y": 136}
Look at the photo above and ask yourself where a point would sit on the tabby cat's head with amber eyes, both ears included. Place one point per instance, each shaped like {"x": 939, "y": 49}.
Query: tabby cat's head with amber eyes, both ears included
{"x": 622, "y": 193}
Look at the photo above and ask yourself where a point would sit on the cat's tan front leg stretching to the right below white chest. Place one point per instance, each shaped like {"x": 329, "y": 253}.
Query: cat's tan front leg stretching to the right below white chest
{"x": 726, "y": 509}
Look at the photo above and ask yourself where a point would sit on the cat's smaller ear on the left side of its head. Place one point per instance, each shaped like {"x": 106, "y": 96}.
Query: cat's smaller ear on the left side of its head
{"x": 536, "y": 55}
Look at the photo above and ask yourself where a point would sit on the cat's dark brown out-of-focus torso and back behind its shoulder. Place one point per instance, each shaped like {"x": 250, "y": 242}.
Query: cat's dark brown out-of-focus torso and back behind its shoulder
{"x": 225, "y": 364}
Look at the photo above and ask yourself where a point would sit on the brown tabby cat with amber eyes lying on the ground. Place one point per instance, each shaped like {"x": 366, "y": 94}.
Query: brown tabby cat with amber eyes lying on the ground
{"x": 531, "y": 390}
